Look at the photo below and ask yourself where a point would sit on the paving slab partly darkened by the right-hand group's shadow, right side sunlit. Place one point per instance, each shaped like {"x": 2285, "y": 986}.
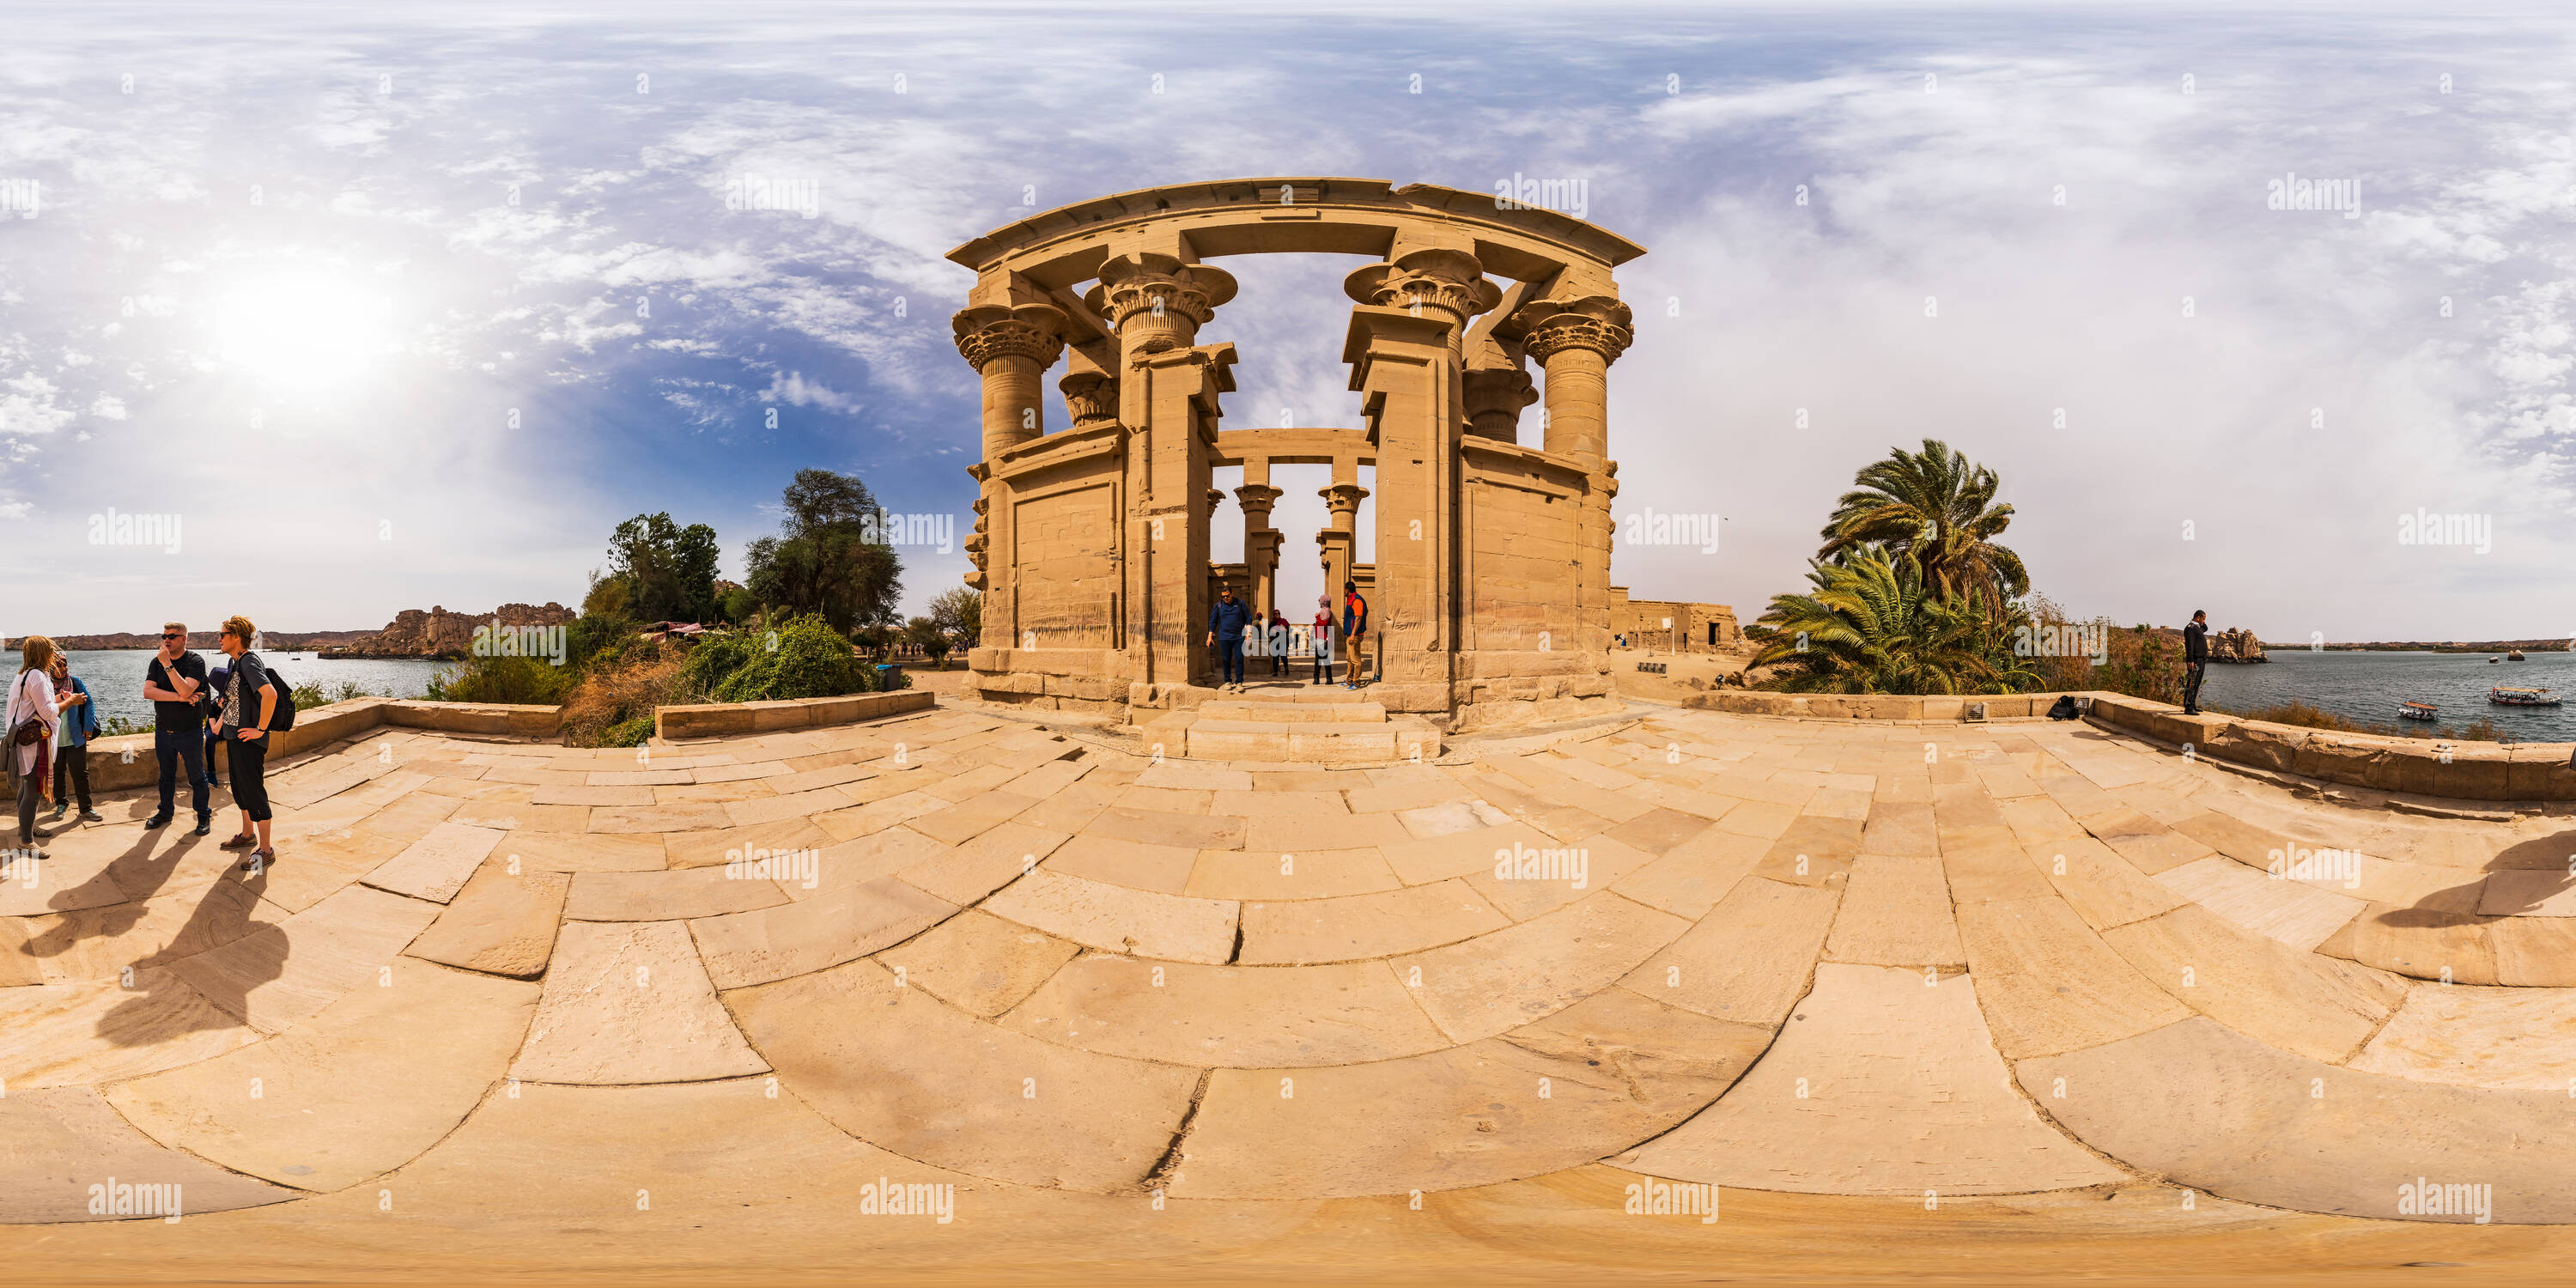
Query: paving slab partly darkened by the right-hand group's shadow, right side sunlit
{"x": 292, "y": 970}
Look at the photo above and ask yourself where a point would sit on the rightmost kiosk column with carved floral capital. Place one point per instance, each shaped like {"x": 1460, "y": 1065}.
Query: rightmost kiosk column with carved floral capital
{"x": 1575, "y": 344}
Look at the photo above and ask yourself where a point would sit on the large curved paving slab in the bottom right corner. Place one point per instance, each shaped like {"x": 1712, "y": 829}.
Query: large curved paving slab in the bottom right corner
{"x": 2211, "y": 1109}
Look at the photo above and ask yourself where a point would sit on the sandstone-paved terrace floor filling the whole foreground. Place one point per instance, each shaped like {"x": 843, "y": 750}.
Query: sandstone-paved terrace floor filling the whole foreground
{"x": 2021, "y": 993}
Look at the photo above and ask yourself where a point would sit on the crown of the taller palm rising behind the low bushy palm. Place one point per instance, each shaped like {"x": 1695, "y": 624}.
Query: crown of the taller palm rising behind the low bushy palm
{"x": 1938, "y": 509}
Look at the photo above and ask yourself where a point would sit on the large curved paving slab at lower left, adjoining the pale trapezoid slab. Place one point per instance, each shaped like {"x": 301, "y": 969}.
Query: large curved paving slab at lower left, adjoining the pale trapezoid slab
{"x": 354, "y": 1094}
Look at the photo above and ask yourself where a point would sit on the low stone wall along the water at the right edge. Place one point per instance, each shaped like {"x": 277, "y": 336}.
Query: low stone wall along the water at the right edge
{"x": 2461, "y": 772}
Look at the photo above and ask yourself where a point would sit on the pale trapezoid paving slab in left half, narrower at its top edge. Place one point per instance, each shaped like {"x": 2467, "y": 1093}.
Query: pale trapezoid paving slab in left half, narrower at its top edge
{"x": 630, "y": 1003}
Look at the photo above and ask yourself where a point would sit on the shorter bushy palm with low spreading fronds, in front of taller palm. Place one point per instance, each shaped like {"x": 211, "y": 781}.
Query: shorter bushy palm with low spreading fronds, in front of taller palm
{"x": 1874, "y": 627}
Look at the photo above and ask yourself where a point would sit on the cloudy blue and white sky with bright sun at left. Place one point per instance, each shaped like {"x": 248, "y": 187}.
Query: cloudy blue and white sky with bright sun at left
{"x": 406, "y": 310}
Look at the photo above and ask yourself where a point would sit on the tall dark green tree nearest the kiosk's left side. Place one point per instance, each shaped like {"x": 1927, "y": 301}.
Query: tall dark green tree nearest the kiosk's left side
{"x": 826, "y": 555}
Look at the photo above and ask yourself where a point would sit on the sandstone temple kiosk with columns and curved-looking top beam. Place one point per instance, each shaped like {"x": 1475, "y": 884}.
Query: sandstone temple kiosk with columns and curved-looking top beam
{"x": 1490, "y": 568}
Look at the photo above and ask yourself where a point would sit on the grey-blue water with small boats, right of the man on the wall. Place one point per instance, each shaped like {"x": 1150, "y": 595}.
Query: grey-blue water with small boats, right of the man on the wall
{"x": 2371, "y": 687}
